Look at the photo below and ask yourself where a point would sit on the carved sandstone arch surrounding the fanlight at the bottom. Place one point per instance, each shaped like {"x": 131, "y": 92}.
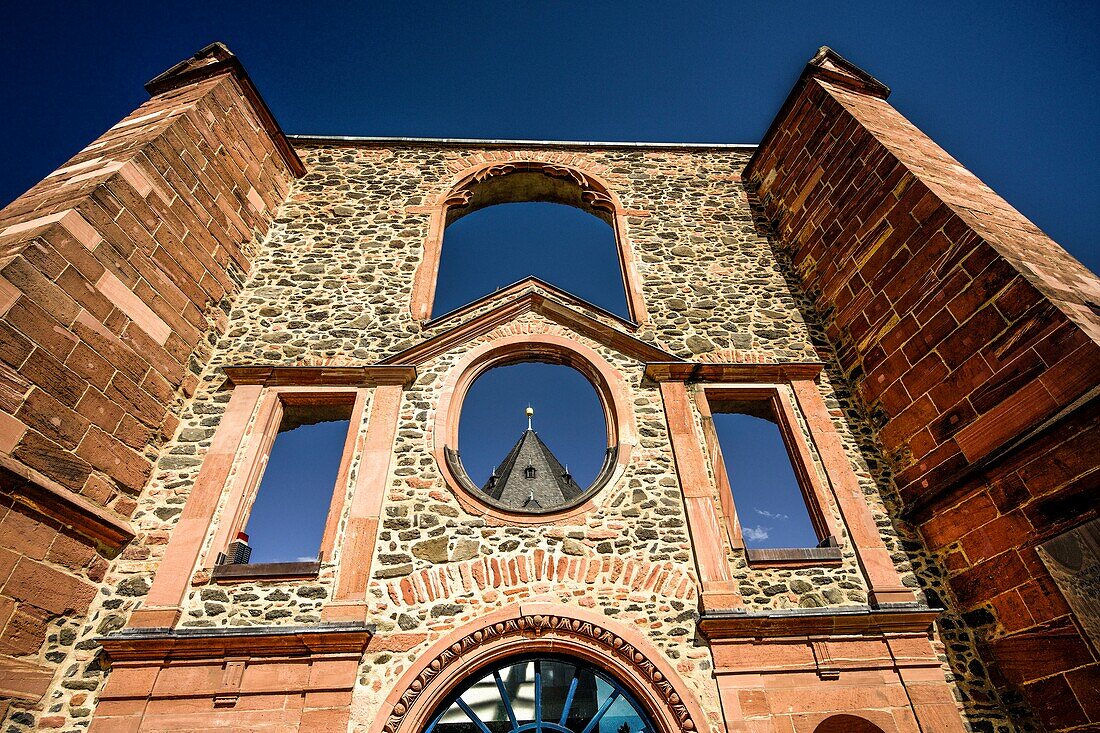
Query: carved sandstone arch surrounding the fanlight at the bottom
{"x": 619, "y": 650}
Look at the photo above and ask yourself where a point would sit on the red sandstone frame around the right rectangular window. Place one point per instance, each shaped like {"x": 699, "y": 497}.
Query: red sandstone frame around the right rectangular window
{"x": 709, "y": 400}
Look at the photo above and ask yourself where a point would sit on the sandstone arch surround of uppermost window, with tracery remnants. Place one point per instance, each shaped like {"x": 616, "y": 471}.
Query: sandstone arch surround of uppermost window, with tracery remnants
{"x": 596, "y": 196}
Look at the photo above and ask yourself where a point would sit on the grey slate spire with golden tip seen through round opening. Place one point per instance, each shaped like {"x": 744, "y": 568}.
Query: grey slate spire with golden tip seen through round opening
{"x": 531, "y": 477}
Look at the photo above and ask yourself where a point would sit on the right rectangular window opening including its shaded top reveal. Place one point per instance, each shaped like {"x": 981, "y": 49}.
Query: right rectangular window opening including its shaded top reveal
{"x": 774, "y": 510}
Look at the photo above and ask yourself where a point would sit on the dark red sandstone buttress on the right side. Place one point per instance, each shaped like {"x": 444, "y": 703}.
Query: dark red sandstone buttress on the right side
{"x": 973, "y": 344}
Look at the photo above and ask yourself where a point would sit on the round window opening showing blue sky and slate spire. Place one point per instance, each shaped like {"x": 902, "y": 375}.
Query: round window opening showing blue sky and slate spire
{"x": 533, "y": 436}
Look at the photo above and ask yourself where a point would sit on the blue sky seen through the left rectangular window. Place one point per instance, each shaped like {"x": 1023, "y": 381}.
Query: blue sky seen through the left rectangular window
{"x": 293, "y": 501}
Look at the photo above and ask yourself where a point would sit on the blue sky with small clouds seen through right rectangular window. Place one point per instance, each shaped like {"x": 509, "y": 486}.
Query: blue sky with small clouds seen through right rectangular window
{"x": 771, "y": 506}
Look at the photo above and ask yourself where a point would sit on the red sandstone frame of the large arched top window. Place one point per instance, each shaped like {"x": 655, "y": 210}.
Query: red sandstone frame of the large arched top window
{"x": 597, "y": 196}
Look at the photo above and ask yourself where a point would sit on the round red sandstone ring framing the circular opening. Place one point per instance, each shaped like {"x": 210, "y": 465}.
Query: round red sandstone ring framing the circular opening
{"x": 551, "y": 348}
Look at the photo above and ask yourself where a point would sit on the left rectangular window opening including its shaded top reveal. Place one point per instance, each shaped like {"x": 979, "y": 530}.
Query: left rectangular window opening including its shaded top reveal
{"x": 291, "y": 507}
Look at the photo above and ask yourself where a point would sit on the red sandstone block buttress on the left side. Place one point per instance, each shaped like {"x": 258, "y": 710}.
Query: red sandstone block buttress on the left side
{"x": 115, "y": 272}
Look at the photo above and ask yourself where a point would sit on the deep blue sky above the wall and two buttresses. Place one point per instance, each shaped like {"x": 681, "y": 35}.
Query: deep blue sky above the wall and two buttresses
{"x": 1009, "y": 89}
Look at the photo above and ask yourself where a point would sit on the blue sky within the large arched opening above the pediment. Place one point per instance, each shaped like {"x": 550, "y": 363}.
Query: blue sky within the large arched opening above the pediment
{"x": 496, "y": 247}
